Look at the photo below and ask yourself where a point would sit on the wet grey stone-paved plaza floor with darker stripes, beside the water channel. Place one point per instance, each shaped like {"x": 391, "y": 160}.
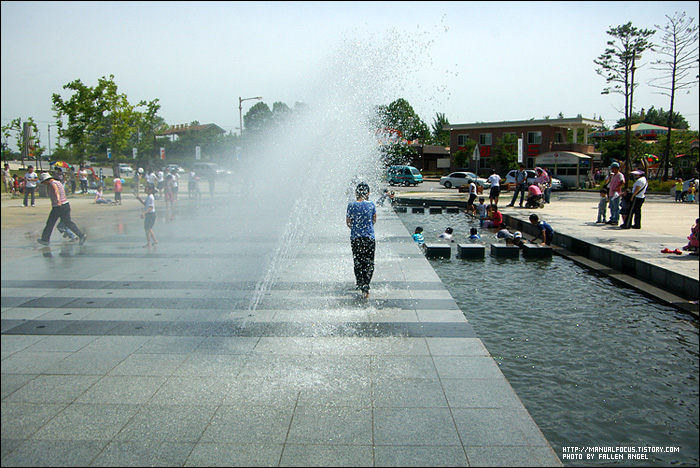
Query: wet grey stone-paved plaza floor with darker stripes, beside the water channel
{"x": 226, "y": 346}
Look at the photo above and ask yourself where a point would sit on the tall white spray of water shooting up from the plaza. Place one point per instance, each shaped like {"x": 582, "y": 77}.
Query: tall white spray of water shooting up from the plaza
{"x": 310, "y": 159}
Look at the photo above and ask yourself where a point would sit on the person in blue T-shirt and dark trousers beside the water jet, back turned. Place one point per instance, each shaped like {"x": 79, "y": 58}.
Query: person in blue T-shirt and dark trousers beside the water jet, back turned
{"x": 361, "y": 217}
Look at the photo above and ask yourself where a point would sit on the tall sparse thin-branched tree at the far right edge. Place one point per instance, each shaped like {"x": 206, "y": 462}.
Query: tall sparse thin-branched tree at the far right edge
{"x": 679, "y": 47}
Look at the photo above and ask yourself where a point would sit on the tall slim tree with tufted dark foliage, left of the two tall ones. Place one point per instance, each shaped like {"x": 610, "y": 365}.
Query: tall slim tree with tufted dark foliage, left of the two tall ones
{"x": 618, "y": 65}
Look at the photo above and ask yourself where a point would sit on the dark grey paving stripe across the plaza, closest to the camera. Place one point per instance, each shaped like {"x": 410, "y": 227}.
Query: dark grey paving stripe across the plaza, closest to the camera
{"x": 239, "y": 329}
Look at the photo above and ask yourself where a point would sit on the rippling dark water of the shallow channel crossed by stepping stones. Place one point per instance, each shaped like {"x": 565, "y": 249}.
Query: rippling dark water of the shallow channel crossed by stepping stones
{"x": 596, "y": 364}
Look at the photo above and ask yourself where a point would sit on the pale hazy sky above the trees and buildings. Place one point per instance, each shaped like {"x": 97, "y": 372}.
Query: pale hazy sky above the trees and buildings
{"x": 472, "y": 61}
